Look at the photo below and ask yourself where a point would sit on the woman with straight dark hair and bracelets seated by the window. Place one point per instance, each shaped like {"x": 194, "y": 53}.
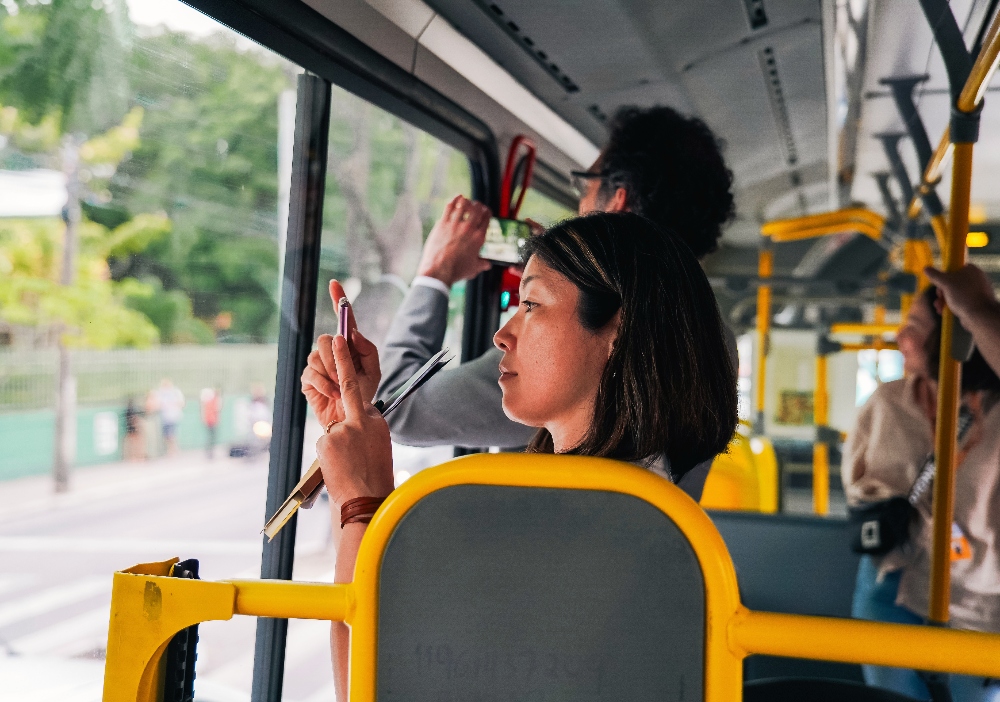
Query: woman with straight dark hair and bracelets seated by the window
{"x": 616, "y": 350}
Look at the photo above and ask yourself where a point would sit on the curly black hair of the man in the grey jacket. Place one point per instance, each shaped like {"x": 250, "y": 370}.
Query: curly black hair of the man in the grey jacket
{"x": 672, "y": 169}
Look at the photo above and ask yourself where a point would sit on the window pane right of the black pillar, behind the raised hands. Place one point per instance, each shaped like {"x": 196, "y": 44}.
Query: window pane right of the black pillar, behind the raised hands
{"x": 387, "y": 184}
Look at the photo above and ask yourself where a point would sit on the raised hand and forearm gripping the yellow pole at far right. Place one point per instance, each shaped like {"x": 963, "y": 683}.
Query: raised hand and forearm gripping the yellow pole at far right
{"x": 969, "y": 294}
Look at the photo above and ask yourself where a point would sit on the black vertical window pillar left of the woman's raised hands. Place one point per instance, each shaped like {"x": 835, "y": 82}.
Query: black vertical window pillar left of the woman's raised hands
{"x": 295, "y": 338}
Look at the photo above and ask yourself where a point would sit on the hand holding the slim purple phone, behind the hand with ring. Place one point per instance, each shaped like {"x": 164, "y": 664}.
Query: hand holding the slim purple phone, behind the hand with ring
{"x": 320, "y": 382}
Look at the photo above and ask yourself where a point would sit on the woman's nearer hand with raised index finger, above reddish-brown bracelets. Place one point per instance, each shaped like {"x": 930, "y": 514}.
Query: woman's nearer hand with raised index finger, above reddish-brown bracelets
{"x": 356, "y": 454}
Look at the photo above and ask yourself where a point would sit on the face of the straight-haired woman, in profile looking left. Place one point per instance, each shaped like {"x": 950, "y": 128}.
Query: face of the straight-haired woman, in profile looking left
{"x": 552, "y": 365}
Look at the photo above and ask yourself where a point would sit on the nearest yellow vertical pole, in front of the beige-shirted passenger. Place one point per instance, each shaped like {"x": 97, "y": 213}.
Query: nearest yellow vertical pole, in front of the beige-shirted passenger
{"x": 949, "y": 377}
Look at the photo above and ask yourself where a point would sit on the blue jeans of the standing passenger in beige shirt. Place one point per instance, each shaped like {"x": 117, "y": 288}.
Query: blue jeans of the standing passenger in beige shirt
{"x": 876, "y": 601}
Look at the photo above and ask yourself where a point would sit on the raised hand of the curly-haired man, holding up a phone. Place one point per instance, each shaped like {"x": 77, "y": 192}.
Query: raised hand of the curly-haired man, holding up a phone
{"x": 451, "y": 252}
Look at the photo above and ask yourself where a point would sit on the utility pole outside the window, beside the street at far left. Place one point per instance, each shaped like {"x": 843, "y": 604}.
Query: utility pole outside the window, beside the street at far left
{"x": 65, "y": 430}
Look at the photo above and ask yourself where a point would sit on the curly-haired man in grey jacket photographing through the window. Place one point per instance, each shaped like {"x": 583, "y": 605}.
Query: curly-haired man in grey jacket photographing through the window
{"x": 657, "y": 163}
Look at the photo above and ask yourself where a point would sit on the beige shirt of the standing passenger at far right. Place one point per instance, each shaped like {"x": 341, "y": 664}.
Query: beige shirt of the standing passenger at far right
{"x": 881, "y": 459}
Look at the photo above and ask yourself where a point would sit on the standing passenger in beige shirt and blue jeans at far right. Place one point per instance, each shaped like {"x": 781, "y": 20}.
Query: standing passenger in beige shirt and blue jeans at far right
{"x": 893, "y": 437}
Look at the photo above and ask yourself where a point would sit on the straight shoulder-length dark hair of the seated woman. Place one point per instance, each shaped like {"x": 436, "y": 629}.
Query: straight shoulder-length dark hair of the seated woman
{"x": 669, "y": 387}
